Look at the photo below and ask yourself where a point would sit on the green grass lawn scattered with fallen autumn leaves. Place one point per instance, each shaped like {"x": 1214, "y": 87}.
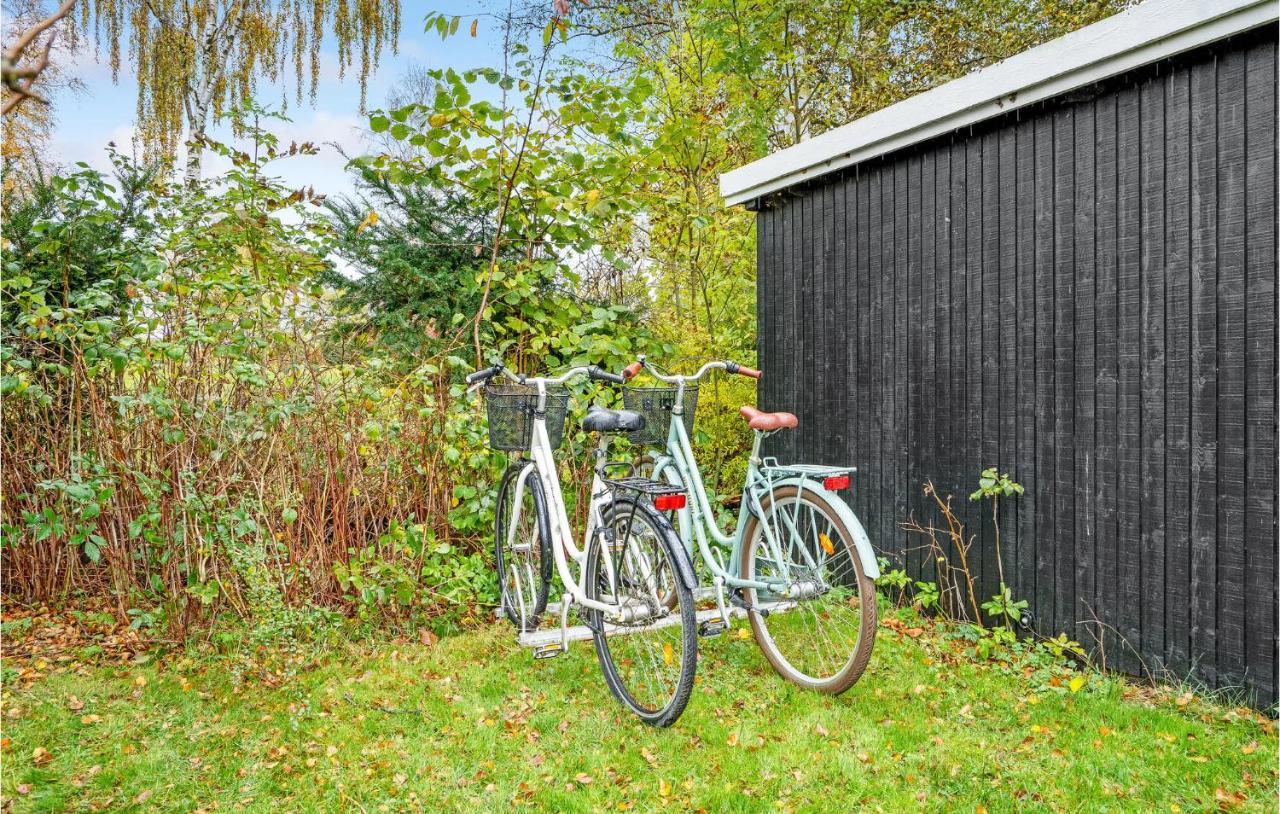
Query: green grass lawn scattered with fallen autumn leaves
{"x": 473, "y": 724}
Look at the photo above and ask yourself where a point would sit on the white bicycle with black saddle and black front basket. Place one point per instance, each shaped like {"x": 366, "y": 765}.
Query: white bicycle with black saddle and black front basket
{"x": 630, "y": 578}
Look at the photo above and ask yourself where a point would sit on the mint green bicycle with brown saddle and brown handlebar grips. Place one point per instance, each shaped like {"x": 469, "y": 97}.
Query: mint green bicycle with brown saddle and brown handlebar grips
{"x": 798, "y": 565}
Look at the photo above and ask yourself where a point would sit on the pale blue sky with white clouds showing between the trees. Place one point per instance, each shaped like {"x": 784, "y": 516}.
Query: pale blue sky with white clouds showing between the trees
{"x": 104, "y": 112}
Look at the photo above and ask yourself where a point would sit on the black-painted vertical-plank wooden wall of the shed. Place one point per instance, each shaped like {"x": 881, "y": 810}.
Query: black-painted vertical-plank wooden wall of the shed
{"x": 1084, "y": 294}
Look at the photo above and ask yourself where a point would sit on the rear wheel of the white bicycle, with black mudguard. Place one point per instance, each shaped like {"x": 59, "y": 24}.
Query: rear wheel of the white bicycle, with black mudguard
{"x": 651, "y": 657}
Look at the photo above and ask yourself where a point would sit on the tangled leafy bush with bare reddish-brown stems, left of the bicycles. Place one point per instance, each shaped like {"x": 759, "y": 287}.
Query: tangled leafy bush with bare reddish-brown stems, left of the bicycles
{"x": 196, "y": 426}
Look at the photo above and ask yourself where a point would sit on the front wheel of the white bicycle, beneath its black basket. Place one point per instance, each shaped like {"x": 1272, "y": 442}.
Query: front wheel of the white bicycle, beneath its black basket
{"x": 522, "y": 554}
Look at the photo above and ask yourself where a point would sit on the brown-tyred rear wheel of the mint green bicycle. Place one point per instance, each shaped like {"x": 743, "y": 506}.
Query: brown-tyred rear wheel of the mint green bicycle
{"x": 820, "y": 638}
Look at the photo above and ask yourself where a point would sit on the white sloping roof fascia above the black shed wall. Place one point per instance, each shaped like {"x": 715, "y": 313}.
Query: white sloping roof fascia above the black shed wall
{"x": 1139, "y": 36}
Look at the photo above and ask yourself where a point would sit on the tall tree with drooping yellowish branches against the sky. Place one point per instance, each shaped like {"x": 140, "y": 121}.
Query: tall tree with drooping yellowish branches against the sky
{"x": 195, "y": 58}
